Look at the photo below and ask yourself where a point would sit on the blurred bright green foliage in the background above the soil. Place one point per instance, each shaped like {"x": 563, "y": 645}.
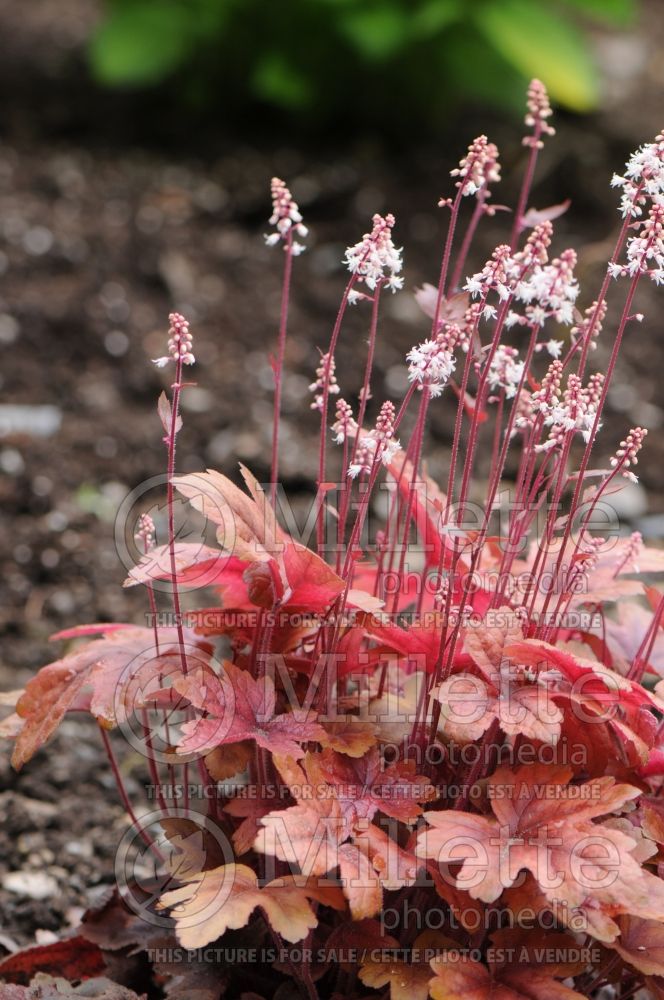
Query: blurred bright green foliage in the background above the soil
{"x": 331, "y": 58}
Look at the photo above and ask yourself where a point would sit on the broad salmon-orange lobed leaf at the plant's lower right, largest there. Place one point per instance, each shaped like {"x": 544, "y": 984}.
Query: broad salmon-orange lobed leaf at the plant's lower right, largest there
{"x": 542, "y": 824}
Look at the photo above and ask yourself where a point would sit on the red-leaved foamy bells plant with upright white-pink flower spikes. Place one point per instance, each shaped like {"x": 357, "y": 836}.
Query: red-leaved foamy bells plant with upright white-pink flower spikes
{"x": 429, "y": 742}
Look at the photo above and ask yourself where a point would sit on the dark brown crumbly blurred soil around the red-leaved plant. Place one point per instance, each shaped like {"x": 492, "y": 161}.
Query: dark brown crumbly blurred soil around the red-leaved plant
{"x": 100, "y": 237}
